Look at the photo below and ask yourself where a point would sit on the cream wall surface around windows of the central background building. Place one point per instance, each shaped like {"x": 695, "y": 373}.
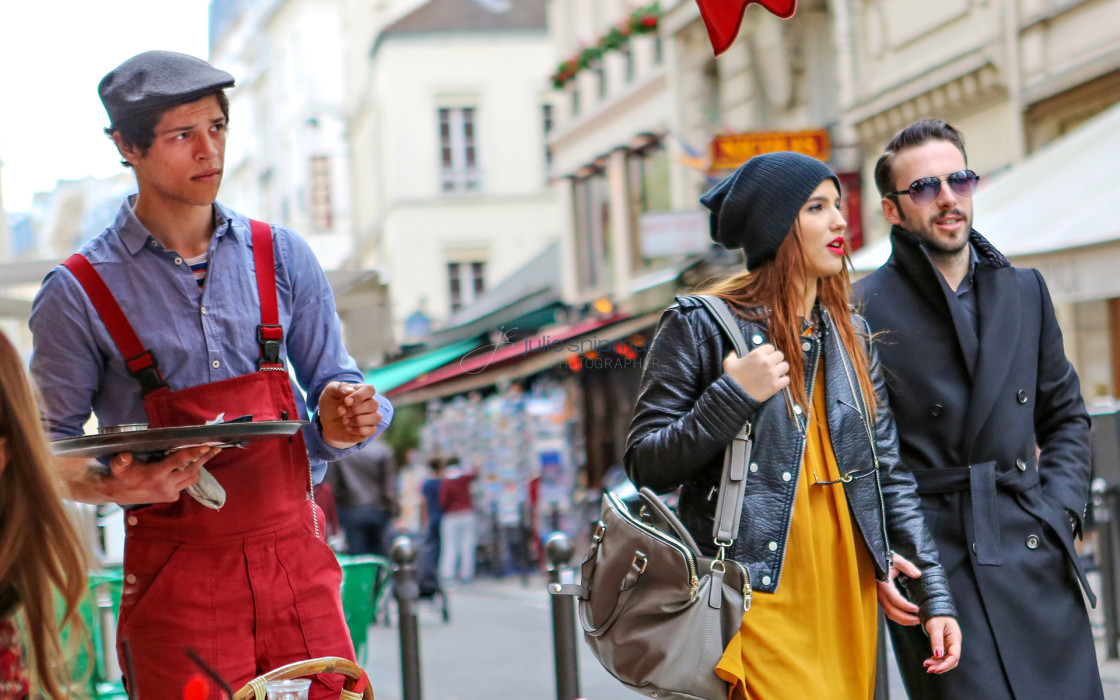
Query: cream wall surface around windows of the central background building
{"x": 410, "y": 228}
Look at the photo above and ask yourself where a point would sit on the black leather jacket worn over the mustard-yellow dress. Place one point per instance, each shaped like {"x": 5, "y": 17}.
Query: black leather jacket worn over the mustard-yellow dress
{"x": 688, "y": 412}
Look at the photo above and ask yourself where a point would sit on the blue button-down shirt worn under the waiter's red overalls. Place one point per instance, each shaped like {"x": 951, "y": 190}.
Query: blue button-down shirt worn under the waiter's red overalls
{"x": 199, "y": 335}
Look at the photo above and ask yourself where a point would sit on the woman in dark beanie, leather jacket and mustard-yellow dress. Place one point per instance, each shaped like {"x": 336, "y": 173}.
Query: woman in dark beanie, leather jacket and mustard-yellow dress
{"x": 830, "y": 516}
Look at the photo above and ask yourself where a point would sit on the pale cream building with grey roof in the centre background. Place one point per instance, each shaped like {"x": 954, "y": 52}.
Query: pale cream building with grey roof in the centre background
{"x": 450, "y": 111}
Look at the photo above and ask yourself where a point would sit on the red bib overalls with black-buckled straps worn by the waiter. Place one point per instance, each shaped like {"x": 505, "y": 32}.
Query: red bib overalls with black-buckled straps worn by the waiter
{"x": 253, "y": 586}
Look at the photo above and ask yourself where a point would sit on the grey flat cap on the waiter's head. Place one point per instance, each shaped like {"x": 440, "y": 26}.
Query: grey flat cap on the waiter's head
{"x": 156, "y": 80}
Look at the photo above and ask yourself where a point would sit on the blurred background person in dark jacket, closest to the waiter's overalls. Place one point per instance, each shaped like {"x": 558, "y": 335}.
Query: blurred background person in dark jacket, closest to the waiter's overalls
{"x": 366, "y": 490}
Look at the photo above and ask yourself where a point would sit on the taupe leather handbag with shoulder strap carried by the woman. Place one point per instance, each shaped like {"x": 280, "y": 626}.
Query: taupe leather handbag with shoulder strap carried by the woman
{"x": 656, "y": 613}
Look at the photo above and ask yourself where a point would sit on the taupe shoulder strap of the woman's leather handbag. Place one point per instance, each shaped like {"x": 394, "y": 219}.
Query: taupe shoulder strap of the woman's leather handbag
{"x": 733, "y": 487}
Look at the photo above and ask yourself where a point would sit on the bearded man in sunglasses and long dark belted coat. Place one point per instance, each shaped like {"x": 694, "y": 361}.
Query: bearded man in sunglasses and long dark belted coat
{"x": 979, "y": 379}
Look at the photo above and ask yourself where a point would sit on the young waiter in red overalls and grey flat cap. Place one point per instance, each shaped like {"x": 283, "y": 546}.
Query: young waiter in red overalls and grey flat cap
{"x": 185, "y": 313}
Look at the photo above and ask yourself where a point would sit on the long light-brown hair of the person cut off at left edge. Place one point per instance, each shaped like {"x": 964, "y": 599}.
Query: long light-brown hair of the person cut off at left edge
{"x": 41, "y": 553}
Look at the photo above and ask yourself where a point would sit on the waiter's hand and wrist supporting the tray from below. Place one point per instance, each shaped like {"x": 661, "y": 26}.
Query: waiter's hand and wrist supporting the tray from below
{"x": 132, "y": 482}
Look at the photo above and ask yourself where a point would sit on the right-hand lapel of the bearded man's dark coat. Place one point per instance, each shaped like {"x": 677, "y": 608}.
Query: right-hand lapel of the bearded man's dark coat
{"x": 1000, "y": 332}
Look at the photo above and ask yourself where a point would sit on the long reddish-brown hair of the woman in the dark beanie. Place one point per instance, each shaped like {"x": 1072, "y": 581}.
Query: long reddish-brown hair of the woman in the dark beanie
{"x": 771, "y": 294}
